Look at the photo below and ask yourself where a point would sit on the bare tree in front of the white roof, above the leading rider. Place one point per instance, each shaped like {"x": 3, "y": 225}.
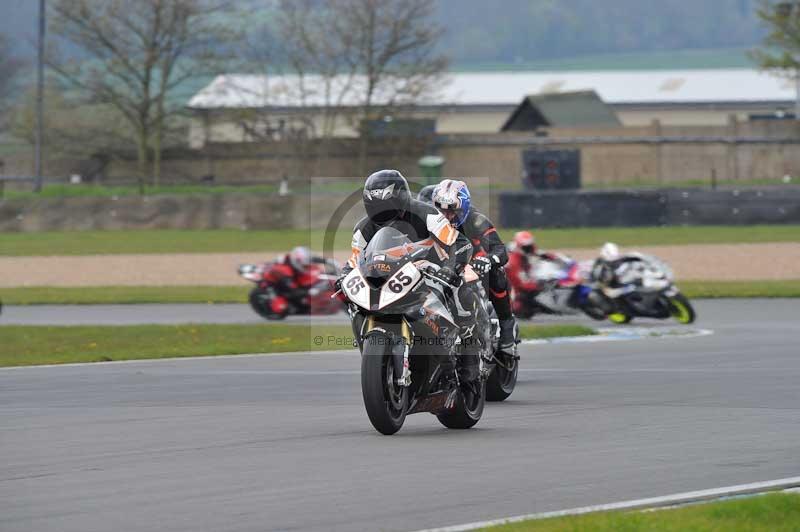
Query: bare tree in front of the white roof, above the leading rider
{"x": 372, "y": 57}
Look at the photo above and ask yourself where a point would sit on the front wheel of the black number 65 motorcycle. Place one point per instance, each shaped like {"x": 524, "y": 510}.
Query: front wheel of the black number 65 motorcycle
{"x": 385, "y": 401}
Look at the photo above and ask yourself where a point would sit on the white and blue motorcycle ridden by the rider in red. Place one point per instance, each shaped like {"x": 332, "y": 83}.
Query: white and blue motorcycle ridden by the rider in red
{"x": 564, "y": 290}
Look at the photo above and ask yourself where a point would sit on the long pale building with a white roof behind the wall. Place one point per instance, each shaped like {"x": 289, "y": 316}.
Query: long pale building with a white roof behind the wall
{"x": 242, "y": 108}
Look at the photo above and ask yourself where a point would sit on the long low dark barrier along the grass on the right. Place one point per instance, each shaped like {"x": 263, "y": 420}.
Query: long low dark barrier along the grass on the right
{"x": 634, "y": 208}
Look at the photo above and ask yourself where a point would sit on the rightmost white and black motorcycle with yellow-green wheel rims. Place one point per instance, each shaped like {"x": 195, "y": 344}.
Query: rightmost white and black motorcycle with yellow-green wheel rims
{"x": 645, "y": 288}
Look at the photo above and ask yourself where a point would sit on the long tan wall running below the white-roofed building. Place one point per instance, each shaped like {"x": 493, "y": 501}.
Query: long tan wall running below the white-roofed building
{"x": 655, "y": 154}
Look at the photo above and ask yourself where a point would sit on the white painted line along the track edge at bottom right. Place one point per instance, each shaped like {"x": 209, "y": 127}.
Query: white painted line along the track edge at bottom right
{"x": 637, "y": 504}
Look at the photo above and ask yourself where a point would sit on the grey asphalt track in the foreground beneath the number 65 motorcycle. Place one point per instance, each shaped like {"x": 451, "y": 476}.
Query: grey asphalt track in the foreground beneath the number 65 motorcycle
{"x": 282, "y": 442}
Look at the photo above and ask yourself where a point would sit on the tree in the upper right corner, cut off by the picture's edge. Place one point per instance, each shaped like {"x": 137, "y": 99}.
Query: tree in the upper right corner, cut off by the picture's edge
{"x": 781, "y": 50}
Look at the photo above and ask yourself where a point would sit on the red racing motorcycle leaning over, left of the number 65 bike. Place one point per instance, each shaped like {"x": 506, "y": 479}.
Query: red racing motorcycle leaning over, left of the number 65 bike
{"x": 271, "y": 299}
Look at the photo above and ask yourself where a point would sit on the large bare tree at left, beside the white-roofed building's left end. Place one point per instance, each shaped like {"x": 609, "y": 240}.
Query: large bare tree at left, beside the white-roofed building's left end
{"x": 135, "y": 56}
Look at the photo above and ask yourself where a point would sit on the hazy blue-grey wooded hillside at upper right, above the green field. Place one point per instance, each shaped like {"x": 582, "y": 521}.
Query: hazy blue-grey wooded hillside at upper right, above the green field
{"x": 530, "y": 31}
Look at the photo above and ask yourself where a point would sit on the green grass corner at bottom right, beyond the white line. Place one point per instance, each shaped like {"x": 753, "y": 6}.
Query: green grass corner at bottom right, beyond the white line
{"x": 775, "y": 512}
